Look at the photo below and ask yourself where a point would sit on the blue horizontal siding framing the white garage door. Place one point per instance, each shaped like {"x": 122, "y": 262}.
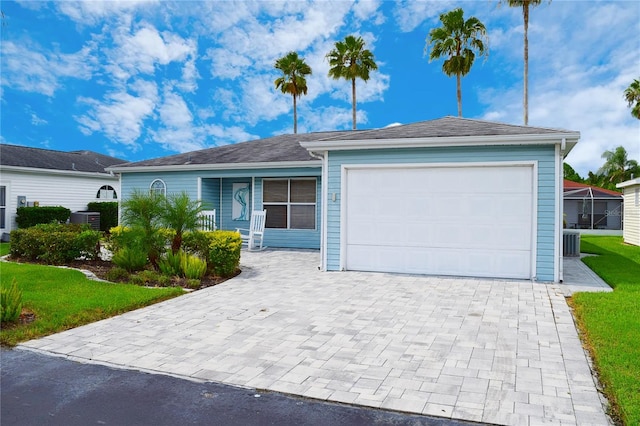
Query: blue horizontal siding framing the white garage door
{"x": 543, "y": 154}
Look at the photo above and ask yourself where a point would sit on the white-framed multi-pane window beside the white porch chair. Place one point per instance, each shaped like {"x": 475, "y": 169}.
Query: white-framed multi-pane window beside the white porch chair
{"x": 290, "y": 203}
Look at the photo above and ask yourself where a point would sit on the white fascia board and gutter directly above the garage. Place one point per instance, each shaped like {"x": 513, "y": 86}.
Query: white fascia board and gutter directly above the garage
{"x": 531, "y": 139}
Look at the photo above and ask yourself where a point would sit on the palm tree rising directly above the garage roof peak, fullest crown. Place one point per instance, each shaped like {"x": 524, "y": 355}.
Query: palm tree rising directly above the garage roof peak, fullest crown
{"x": 458, "y": 41}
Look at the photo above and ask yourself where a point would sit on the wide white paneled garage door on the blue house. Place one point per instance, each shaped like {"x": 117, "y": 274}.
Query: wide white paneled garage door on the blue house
{"x": 456, "y": 220}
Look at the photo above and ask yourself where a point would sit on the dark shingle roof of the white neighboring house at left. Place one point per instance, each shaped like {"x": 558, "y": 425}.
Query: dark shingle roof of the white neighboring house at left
{"x": 37, "y": 158}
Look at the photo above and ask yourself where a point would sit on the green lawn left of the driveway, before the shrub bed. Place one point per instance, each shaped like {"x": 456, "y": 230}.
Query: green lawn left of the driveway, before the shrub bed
{"x": 65, "y": 298}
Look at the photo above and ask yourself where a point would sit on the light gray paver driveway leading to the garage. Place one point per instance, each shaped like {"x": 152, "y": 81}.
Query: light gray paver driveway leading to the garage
{"x": 495, "y": 351}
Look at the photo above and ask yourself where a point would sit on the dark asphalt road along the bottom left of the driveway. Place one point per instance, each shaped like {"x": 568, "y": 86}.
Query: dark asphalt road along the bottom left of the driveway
{"x": 37, "y": 389}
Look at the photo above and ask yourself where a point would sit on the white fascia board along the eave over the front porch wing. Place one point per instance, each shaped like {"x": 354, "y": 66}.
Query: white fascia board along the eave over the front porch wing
{"x": 224, "y": 166}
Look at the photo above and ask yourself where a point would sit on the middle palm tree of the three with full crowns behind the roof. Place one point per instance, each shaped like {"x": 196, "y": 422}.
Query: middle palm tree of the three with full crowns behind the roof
{"x": 350, "y": 60}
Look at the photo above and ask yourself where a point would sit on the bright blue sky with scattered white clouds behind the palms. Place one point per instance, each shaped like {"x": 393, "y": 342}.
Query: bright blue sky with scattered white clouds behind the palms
{"x": 144, "y": 79}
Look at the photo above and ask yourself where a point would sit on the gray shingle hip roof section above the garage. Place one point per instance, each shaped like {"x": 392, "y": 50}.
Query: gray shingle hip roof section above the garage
{"x": 447, "y": 127}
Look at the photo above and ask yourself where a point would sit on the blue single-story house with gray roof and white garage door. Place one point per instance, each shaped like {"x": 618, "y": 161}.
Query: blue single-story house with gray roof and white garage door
{"x": 449, "y": 196}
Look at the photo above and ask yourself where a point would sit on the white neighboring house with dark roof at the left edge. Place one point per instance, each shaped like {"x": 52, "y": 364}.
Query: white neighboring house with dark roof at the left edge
{"x": 44, "y": 177}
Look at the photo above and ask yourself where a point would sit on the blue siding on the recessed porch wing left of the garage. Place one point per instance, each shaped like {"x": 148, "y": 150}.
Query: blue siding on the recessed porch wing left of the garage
{"x": 211, "y": 182}
